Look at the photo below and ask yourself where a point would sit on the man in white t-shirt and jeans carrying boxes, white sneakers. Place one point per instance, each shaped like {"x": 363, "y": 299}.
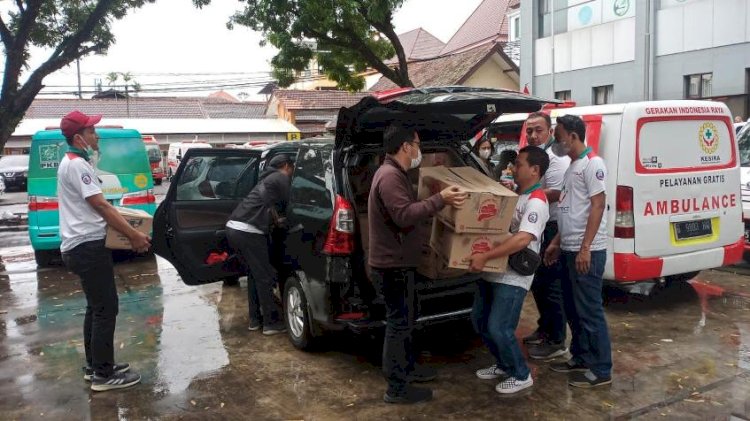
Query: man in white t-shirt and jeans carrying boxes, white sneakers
{"x": 499, "y": 298}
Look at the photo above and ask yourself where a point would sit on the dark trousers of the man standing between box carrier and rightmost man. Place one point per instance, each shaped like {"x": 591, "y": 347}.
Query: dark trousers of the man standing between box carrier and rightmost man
{"x": 547, "y": 290}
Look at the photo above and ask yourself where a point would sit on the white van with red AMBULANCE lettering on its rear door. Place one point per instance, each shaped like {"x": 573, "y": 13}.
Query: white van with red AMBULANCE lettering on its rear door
{"x": 673, "y": 197}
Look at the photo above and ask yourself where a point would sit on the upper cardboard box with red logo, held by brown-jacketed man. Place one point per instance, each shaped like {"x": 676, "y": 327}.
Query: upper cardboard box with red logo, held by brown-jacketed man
{"x": 488, "y": 208}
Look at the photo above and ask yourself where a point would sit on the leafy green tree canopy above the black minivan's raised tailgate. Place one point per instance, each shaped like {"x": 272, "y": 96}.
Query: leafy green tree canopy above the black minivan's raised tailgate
{"x": 348, "y": 37}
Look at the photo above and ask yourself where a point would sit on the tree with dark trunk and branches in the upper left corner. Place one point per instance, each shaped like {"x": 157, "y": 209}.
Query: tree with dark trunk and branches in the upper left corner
{"x": 71, "y": 29}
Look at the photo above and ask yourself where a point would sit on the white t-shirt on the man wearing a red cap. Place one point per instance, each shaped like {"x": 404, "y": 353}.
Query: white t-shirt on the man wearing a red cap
{"x": 79, "y": 222}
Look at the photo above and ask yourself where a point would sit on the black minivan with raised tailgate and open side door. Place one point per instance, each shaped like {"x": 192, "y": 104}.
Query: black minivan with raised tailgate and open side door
{"x": 324, "y": 278}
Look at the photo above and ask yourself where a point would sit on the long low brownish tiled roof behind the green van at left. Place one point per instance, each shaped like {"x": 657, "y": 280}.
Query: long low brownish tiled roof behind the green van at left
{"x": 180, "y": 107}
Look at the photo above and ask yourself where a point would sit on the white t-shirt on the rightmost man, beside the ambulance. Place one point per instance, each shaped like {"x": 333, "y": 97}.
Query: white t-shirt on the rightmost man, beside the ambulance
{"x": 585, "y": 178}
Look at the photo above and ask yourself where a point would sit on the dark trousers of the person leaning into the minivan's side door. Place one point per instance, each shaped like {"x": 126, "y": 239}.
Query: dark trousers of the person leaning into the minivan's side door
{"x": 261, "y": 277}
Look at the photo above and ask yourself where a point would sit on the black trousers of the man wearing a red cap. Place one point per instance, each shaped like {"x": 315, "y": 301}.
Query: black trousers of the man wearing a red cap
{"x": 92, "y": 262}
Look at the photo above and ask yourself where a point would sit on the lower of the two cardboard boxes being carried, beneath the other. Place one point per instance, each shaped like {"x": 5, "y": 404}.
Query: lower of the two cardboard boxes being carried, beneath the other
{"x": 456, "y": 249}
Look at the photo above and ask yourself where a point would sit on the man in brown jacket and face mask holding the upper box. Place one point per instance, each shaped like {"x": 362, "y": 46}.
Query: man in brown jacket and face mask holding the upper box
{"x": 395, "y": 243}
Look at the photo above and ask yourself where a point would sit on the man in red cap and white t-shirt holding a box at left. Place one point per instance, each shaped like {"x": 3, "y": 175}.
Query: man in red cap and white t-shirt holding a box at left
{"x": 84, "y": 216}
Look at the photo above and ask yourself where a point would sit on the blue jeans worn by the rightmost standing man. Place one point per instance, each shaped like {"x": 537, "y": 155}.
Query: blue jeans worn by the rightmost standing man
{"x": 582, "y": 295}
